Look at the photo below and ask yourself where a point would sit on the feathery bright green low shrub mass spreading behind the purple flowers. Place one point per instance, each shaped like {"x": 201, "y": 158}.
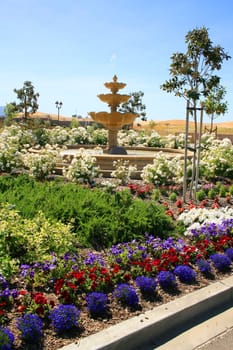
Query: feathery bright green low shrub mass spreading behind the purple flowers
{"x": 97, "y": 218}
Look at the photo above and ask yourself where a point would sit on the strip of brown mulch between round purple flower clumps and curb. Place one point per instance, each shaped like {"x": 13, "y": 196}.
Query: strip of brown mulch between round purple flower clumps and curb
{"x": 117, "y": 313}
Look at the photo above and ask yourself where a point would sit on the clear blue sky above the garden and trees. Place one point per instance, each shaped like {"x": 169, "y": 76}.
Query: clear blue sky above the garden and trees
{"x": 68, "y": 49}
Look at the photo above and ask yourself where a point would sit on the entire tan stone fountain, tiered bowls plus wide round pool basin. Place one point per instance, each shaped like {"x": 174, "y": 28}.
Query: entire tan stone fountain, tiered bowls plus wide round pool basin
{"x": 113, "y": 121}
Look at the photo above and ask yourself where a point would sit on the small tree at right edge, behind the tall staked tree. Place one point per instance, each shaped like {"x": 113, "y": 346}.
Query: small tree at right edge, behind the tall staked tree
{"x": 215, "y": 105}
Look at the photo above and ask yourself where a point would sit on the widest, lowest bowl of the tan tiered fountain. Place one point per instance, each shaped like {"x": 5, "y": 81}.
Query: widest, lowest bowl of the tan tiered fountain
{"x": 113, "y": 120}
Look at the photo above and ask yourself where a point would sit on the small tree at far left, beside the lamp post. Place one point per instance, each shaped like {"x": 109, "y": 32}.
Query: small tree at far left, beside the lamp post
{"x": 28, "y": 99}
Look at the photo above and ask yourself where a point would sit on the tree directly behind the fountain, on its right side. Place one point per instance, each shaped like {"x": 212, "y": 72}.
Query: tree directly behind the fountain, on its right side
{"x": 134, "y": 105}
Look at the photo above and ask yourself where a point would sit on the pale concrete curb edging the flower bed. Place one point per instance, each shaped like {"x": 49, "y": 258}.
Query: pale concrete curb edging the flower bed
{"x": 139, "y": 331}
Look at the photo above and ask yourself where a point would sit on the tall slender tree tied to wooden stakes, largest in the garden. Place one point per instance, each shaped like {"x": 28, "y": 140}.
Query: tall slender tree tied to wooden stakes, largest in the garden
{"x": 193, "y": 78}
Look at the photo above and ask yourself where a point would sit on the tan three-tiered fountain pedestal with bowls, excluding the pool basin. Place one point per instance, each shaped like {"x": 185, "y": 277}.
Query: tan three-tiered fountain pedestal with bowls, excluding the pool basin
{"x": 114, "y": 120}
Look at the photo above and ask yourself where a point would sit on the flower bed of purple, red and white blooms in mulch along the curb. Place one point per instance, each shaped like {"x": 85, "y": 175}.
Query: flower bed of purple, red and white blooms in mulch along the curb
{"x": 74, "y": 295}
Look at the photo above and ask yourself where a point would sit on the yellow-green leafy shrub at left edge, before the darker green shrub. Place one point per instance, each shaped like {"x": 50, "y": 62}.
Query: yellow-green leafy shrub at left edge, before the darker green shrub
{"x": 28, "y": 240}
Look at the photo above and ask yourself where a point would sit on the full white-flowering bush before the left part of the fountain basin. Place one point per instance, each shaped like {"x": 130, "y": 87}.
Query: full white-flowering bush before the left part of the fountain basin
{"x": 82, "y": 169}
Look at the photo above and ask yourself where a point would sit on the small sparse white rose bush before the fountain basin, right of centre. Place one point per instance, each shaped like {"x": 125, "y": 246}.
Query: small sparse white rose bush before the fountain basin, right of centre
{"x": 123, "y": 171}
